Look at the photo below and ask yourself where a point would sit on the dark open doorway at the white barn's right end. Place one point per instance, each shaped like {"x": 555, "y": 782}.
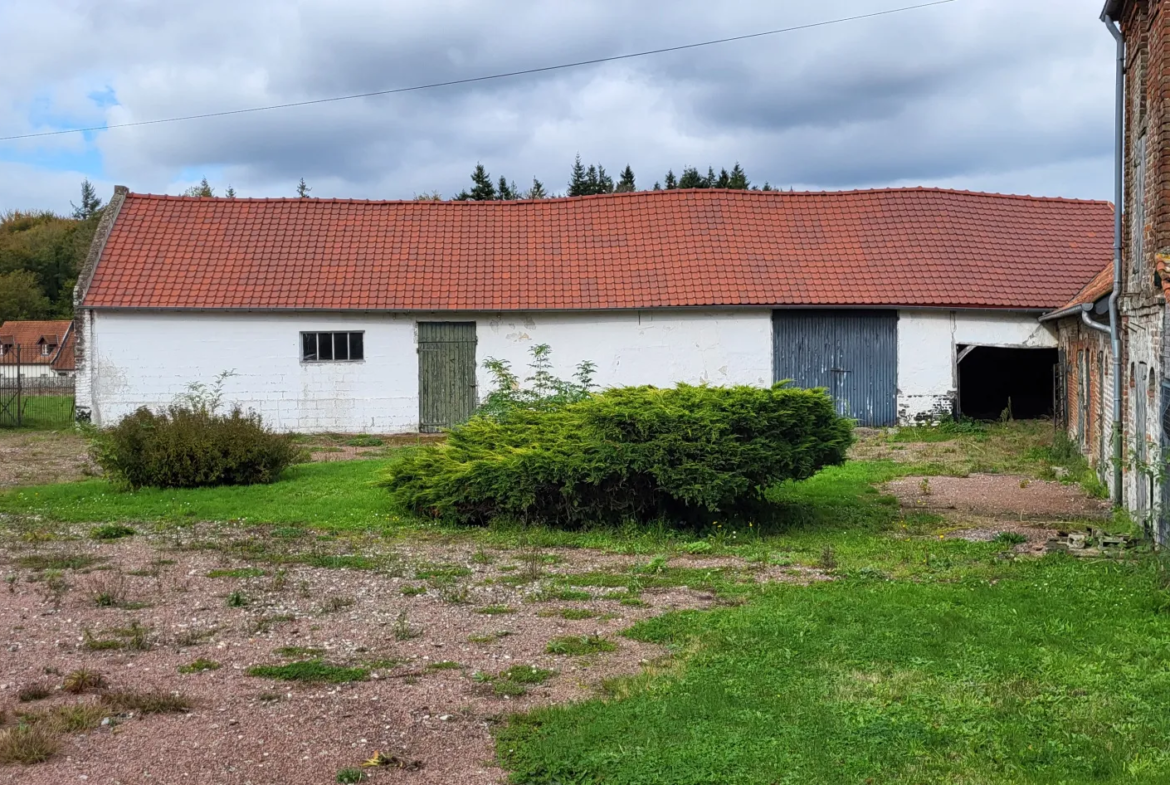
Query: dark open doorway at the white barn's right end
{"x": 993, "y": 381}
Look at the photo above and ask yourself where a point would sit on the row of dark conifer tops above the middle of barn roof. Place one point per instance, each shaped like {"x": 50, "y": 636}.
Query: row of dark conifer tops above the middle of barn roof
{"x": 594, "y": 180}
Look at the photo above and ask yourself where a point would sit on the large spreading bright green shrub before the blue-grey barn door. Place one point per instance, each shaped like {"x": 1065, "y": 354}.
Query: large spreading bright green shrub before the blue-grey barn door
{"x": 683, "y": 456}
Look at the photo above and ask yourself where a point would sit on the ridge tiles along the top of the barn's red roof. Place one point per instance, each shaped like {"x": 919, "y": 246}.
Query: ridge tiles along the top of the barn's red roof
{"x": 635, "y": 195}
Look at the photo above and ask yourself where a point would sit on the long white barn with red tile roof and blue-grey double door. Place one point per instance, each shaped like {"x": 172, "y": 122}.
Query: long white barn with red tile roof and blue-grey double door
{"x": 377, "y": 316}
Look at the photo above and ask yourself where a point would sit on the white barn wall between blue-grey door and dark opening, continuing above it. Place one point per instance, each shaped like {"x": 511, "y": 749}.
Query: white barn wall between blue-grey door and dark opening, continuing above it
{"x": 926, "y": 353}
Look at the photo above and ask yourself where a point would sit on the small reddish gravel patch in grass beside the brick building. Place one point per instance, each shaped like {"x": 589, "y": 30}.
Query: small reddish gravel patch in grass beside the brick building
{"x": 999, "y": 495}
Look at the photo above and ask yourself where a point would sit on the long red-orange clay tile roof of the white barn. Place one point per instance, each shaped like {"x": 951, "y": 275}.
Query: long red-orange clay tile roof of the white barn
{"x": 651, "y": 250}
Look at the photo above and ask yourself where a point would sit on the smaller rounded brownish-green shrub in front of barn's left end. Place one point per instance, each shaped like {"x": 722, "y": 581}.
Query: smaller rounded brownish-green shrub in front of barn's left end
{"x": 191, "y": 447}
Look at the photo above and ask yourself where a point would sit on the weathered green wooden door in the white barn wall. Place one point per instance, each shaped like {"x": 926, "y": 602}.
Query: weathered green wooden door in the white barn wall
{"x": 448, "y": 390}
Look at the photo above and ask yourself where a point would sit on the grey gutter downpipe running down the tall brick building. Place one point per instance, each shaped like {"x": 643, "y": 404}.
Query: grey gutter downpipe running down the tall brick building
{"x": 1119, "y": 196}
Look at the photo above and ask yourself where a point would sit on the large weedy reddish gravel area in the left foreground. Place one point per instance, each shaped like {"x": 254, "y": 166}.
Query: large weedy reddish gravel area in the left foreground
{"x": 247, "y": 729}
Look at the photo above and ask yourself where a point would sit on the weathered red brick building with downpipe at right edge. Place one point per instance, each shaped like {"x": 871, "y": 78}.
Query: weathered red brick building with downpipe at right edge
{"x": 1139, "y": 299}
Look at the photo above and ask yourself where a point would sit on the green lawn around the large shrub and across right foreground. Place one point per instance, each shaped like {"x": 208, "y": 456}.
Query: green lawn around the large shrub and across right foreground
{"x": 927, "y": 660}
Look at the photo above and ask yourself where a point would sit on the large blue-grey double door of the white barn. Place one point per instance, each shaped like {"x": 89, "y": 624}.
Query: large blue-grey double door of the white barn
{"x": 851, "y": 354}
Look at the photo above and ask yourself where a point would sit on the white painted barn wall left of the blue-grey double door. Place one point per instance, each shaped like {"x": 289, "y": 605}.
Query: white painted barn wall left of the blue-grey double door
{"x": 146, "y": 360}
